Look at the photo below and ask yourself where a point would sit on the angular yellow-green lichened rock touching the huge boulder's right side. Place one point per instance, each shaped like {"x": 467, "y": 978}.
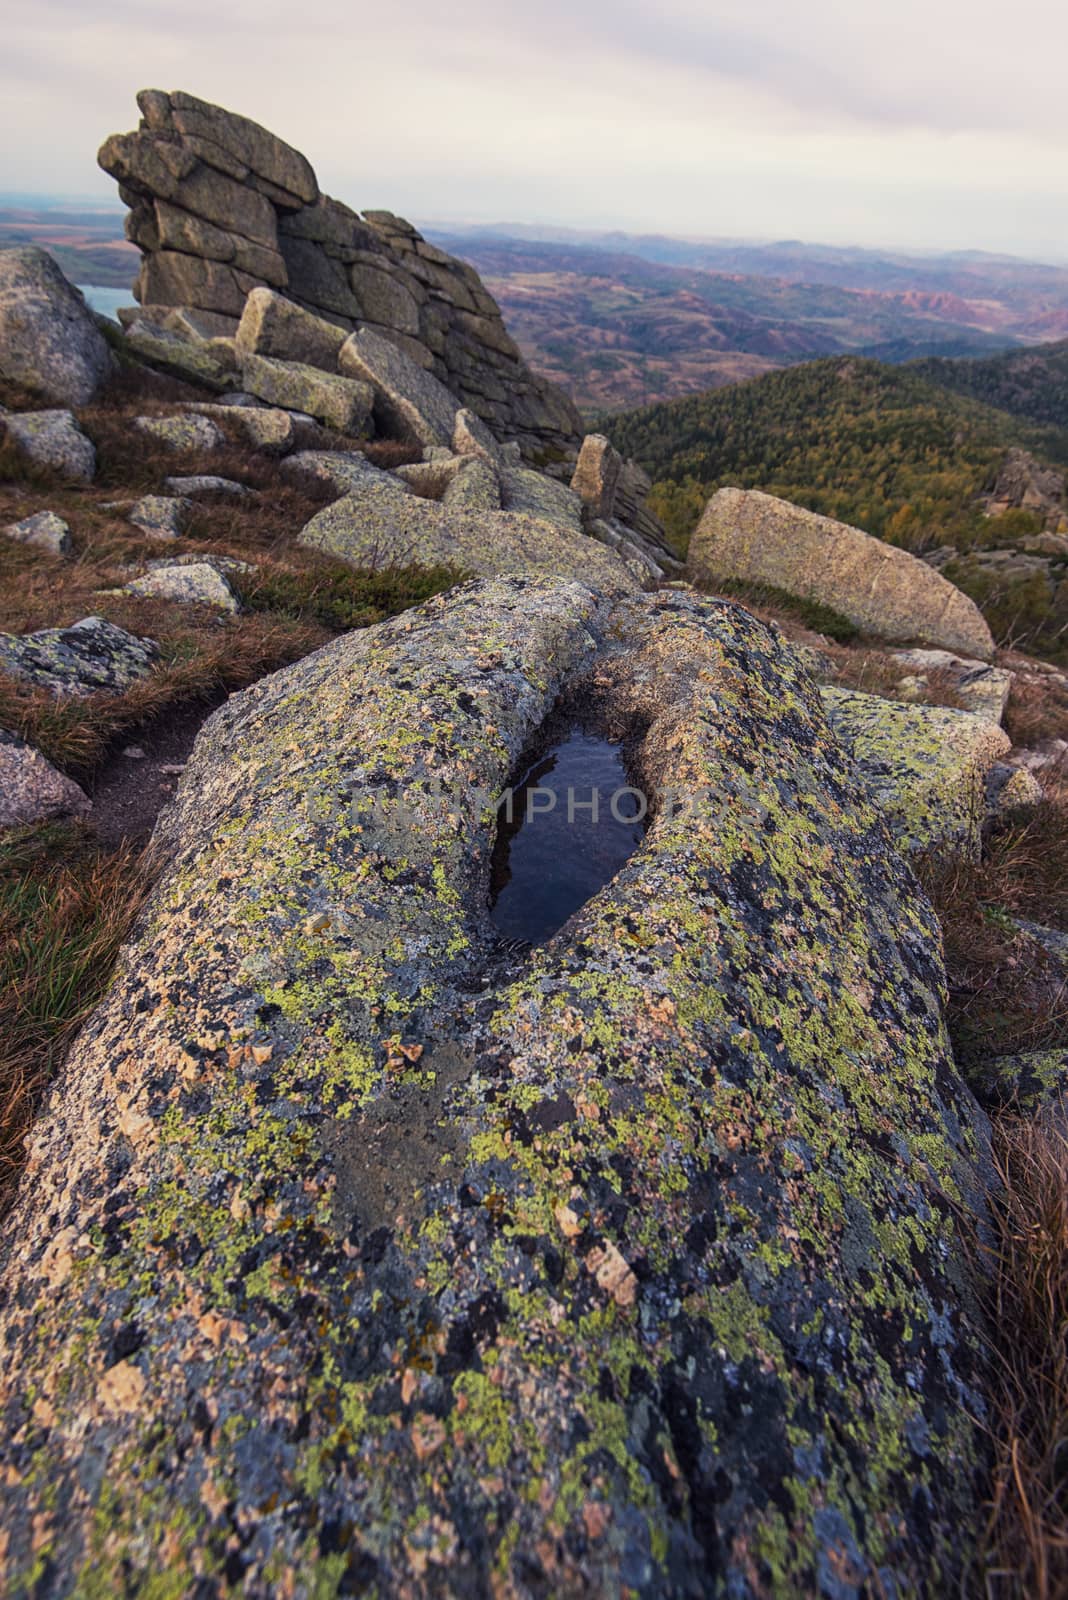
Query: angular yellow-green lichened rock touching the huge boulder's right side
{"x": 923, "y": 766}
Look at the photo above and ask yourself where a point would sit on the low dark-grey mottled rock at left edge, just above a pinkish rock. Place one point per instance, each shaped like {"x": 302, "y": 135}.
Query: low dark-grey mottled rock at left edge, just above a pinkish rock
{"x": 86, "y": 658}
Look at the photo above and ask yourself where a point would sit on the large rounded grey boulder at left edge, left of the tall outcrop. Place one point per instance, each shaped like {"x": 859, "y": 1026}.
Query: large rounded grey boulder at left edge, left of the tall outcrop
{"x": 49, "y": 340}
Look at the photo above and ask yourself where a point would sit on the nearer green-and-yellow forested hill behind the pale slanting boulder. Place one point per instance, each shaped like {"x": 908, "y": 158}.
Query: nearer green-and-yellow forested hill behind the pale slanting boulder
{"x": 874, "y": 446}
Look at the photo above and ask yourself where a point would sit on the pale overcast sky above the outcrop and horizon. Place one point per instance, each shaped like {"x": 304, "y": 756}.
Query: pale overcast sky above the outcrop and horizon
{"x": 914, "y": 124}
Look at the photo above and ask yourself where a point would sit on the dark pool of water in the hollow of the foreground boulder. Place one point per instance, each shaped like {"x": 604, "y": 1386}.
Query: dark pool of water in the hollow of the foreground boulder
{"x": 549, "y": 862}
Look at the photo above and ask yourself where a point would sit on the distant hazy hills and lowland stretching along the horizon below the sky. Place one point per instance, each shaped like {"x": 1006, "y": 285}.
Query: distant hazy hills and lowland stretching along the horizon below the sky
{"x": 626, "y": 319}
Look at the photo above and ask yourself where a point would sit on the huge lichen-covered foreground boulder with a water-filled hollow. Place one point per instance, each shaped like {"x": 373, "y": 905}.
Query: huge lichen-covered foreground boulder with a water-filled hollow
{"x": 345, "y": 1265}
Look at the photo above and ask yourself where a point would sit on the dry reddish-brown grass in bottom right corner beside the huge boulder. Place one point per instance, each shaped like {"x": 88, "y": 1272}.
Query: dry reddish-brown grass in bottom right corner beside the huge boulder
{"x": 1027, "y": 1535}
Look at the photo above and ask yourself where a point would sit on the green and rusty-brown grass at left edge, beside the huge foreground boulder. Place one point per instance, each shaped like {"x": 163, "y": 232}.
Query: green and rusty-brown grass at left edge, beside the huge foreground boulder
{"x": 66, "y": 906}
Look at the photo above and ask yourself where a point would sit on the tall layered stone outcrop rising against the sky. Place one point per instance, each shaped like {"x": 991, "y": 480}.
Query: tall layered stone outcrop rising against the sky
{"x": 221, "y": 209}
